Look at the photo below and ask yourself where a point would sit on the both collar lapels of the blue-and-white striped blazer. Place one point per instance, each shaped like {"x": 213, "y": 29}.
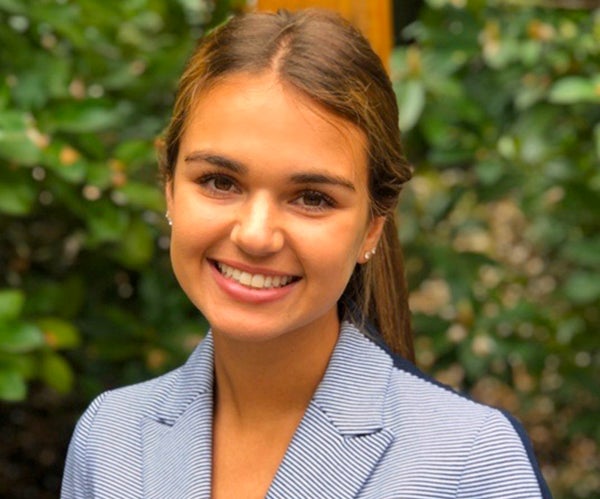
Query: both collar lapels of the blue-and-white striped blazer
{"x": 339, "y": 441}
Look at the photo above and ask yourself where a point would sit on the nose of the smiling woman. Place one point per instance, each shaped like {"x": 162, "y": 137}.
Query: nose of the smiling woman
{"x": 256, "y": 230}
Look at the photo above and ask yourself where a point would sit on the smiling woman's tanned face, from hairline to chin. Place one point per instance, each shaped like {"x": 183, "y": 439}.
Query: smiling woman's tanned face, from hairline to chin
{"x": 270, "y": 209}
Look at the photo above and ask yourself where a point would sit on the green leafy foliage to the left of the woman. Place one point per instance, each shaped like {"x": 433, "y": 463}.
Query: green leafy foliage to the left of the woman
{"x": 85, "y": 286}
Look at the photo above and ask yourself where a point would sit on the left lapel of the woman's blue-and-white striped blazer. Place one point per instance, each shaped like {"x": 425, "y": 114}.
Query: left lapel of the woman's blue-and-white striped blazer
{"x": 177, "y": 436}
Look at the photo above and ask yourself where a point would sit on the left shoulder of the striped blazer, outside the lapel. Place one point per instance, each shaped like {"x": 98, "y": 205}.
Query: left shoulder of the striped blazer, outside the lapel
{"x": 107, "y": 441}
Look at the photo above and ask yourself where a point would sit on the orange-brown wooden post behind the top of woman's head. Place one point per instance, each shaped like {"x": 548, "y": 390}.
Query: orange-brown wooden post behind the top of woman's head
{"x": 372, "y": 17}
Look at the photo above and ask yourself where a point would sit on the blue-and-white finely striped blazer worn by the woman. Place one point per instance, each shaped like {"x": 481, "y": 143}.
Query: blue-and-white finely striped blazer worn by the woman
{"x": 376, "y": 428}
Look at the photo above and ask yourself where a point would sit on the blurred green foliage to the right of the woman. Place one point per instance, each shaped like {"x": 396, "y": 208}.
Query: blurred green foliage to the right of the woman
{"x": 500, "y": 106}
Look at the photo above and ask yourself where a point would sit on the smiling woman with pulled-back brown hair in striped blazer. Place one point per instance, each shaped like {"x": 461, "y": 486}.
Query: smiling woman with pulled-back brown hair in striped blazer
{"x": 282, "y": 167}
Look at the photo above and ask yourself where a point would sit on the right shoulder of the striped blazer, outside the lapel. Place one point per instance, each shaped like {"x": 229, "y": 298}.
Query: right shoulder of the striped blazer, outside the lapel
{"x": 461, "y": 447}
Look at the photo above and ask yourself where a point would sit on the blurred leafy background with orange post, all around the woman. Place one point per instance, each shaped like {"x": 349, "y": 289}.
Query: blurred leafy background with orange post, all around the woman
{"x": 500, "y": 112}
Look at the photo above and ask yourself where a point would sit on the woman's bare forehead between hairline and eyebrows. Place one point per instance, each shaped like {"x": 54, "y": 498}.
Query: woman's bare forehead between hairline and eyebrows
{"x": 246, "y": 112}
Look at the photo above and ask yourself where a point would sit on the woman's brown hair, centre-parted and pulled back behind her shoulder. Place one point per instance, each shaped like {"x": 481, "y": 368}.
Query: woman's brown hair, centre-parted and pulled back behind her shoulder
{"x": 324, "y": 57}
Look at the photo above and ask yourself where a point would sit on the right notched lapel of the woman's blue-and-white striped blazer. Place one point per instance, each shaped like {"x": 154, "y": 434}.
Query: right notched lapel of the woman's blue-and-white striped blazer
{"x": 342, "y": 435}
